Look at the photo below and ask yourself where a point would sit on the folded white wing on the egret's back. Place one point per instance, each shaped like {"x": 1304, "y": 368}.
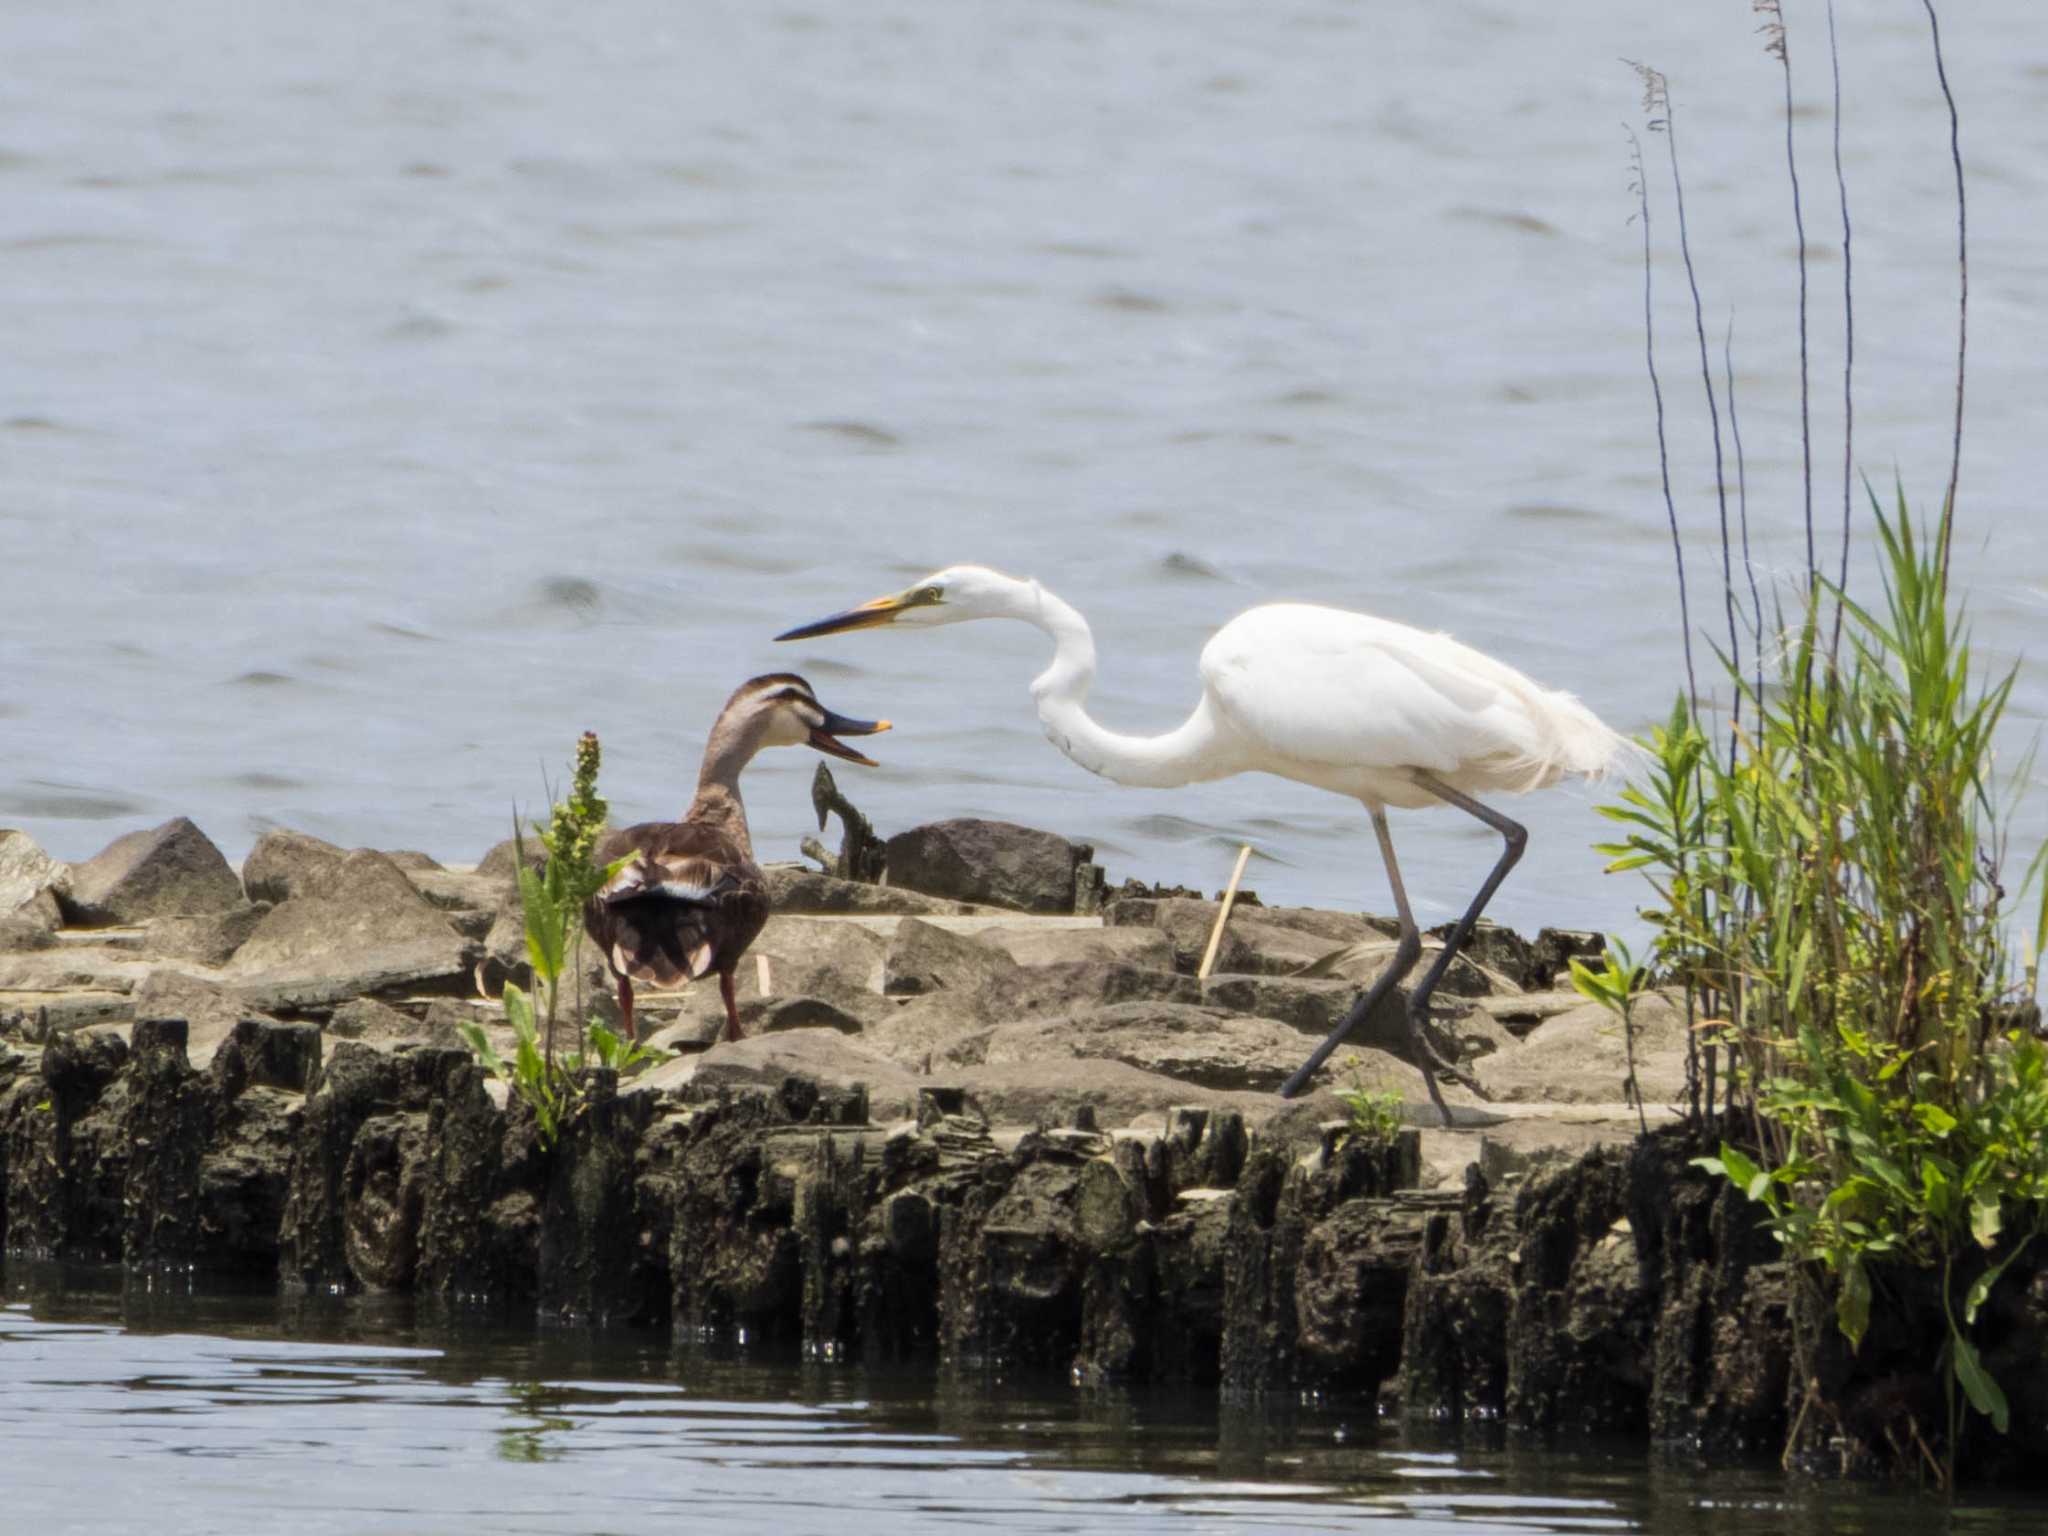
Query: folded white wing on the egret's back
{"x": 1330, "y": 687}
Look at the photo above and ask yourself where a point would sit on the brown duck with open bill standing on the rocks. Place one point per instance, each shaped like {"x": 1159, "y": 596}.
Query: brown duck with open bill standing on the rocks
{"x": 693, "y": 898}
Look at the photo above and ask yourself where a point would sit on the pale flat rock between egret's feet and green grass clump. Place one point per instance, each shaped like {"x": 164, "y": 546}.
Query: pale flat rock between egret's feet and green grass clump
{"x": 1580, "y": 1058}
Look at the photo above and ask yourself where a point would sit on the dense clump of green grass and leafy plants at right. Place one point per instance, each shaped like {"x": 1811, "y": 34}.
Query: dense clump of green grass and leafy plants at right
{"x": 1830, "y": 896}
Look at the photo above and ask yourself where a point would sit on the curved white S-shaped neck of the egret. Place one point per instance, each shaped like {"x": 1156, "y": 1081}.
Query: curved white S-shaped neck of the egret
{"x": 1181, "y": 757}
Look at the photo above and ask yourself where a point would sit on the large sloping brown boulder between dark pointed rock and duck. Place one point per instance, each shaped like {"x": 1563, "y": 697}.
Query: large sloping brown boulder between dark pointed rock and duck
{"x": 349, "y": 929}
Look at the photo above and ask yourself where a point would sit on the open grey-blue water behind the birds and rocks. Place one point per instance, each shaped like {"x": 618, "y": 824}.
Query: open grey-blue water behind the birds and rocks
{"x": 394, "y": 390}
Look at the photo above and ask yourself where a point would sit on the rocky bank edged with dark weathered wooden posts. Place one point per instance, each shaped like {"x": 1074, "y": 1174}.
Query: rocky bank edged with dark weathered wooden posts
{"x": 957, "y": 1134}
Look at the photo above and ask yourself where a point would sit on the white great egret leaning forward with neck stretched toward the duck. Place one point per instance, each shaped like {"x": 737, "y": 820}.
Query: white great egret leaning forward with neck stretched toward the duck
{"x": 1357, "y": 706}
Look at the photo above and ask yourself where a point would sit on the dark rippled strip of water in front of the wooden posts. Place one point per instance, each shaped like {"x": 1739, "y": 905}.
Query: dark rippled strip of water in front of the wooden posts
{"x": 241, "y": 1414}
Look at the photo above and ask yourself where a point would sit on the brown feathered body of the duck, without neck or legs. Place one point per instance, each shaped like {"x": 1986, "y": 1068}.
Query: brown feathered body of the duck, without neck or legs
{"x": 687, "y": 906}
